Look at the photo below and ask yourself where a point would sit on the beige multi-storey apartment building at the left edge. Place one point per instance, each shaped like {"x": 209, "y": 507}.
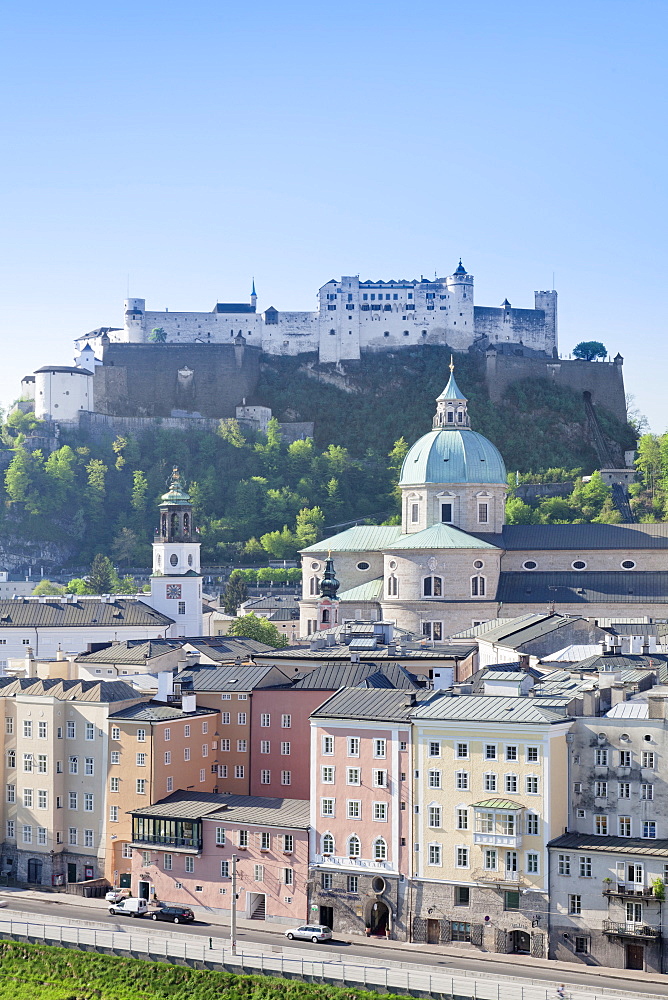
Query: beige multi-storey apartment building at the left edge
{"x": 54, "y": 760}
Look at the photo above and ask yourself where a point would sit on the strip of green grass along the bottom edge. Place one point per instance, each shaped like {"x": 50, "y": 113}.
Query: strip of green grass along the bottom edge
{"x": 30, "y": 971}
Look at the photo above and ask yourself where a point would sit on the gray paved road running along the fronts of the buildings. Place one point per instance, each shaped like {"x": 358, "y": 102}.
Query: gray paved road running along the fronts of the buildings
{"x": 51, "y": 910}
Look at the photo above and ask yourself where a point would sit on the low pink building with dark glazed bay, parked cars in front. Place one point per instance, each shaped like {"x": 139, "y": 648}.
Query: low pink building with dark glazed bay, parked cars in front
{"x": 183, "y": 848}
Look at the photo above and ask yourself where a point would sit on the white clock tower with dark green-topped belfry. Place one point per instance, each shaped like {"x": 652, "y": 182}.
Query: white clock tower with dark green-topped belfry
{"x": 176, "y": 582}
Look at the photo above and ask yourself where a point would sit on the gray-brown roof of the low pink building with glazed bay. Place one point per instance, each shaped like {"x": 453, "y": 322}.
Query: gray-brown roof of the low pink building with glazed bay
{"x": 250, "y": 809}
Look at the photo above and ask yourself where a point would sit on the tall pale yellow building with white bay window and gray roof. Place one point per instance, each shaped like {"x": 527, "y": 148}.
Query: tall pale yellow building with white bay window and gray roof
{"x": 490, "y": 780}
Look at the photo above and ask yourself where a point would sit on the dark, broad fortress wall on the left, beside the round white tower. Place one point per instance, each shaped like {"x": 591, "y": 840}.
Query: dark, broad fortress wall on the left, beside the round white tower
{"x": 209, "y": 380}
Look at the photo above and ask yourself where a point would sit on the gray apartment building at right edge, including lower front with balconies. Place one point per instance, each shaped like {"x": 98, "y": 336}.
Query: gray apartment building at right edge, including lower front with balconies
{"x": 609, "y": 871}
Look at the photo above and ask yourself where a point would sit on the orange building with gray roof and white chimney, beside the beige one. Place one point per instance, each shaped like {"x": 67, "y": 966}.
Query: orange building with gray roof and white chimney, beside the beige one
{"x": 154, "y": 749}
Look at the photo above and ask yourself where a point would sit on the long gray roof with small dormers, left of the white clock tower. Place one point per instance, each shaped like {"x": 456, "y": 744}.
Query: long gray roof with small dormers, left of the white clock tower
{"x": 84, "y": 612}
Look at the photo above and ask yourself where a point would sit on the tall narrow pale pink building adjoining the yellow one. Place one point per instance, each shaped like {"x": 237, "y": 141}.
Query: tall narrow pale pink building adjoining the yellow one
{"x": 361, "y": 809}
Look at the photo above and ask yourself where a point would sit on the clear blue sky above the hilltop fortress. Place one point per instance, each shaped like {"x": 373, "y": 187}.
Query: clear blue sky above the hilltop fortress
{"x": 176, "y": 151}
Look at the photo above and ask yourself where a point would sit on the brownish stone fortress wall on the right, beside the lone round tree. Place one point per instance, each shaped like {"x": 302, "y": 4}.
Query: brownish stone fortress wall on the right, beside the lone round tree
{"x": 603, "y": 379}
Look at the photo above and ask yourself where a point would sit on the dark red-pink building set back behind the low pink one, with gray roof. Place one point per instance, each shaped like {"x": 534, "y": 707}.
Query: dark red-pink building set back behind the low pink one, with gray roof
{"x": 280, "y": 758}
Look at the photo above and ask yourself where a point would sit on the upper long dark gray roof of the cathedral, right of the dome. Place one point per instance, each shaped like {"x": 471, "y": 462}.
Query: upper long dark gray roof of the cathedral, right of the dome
{"x": 584, "y": 536}
